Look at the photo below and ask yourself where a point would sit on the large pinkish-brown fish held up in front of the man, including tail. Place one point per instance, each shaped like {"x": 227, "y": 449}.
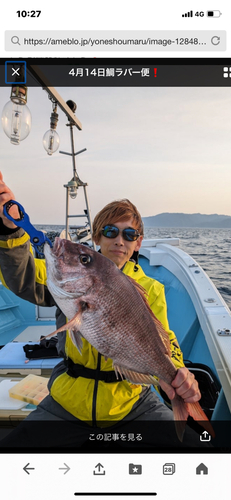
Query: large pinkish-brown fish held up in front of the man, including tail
{"x": 110, "y": 310}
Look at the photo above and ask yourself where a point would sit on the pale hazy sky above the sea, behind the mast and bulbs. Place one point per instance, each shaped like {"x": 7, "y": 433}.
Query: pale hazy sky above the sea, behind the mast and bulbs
{"x": 165, "y": 149}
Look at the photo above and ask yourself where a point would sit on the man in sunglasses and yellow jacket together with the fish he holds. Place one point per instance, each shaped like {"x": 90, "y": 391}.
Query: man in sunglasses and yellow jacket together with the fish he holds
{"x": 117, "y": 339}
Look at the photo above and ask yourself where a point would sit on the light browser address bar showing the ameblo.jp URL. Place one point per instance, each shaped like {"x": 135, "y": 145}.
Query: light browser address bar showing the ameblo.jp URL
{"x": 161, "y": 41}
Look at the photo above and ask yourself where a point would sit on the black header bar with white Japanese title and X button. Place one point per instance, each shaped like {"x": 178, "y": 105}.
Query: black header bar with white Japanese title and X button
{"x": 114, "y": 72}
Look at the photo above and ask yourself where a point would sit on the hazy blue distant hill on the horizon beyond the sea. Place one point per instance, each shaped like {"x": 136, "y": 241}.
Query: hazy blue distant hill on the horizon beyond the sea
{"x": 188, "y": 220}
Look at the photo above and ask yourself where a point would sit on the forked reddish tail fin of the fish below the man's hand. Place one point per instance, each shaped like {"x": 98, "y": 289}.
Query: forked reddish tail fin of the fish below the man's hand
{"x": 182, "y": 410}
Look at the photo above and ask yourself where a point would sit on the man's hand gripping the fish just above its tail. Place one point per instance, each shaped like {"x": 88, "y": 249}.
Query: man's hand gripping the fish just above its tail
{"x": 184, "y": 384}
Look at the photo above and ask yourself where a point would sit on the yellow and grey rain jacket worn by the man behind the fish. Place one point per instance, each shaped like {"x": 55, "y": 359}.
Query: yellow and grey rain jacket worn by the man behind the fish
{"x": 90, "y": 400}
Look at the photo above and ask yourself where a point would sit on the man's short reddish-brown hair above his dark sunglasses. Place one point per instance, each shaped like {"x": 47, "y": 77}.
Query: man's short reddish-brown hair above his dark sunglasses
{"x": 116, "y": 211}
